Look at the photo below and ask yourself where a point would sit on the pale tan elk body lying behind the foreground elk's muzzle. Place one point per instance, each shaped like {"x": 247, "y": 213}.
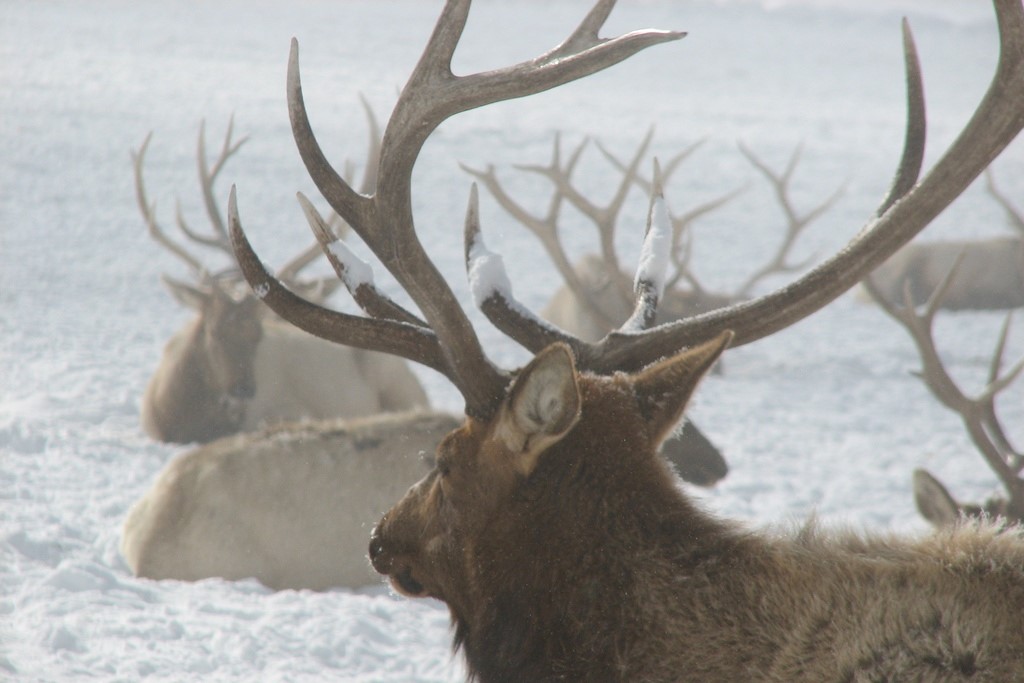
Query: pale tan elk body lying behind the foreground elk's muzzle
{"x": 290, "y": 506}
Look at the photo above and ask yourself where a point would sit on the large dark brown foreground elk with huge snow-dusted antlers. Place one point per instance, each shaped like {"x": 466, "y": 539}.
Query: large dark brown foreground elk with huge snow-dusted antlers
{"x": 559, "y": 539}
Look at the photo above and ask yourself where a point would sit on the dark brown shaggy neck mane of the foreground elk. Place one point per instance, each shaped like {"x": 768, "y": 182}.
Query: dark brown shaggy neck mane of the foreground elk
{"x": 561, "y": 573}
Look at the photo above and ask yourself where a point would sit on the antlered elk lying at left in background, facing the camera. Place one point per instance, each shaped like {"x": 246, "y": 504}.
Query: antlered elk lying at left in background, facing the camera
{"x": 234, "y": 368}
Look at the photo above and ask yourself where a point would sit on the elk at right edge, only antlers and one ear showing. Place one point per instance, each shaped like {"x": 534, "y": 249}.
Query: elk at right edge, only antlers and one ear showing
{"x": 978, "y": 413}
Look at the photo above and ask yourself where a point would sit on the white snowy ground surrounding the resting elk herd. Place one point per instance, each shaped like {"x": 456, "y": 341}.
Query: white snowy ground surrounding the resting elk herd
{"x": 823, "y": 418}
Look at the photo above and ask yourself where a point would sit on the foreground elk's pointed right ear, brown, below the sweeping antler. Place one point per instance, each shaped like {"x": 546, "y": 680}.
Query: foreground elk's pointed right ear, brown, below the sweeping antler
{"x": 664, "y": 389}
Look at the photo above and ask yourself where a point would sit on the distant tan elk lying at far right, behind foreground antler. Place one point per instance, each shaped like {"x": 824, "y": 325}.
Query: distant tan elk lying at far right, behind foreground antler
{"x": 992, "y": 271}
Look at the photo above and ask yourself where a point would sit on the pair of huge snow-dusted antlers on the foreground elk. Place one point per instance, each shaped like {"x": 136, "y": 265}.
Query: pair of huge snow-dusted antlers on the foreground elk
{"x": 448, "y": 343}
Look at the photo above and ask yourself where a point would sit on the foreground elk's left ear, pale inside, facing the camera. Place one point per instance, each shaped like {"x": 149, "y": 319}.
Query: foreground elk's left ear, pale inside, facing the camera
{"x": 543, "y": 406}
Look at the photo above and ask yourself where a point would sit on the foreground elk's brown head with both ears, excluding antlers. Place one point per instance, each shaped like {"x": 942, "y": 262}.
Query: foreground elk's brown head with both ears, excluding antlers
{"x": 499, "y": 479}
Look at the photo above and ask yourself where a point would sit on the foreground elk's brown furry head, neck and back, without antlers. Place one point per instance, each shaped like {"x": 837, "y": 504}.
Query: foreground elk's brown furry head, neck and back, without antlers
{"x": 570, "y": 553}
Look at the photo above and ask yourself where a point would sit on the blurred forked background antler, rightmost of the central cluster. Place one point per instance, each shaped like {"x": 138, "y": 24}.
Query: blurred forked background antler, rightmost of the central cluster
{"x": 796, "y": 224}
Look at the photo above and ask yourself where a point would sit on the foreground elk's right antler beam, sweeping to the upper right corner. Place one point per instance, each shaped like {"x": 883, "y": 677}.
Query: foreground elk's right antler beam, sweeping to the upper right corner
{"x": 998, "y": 120}
